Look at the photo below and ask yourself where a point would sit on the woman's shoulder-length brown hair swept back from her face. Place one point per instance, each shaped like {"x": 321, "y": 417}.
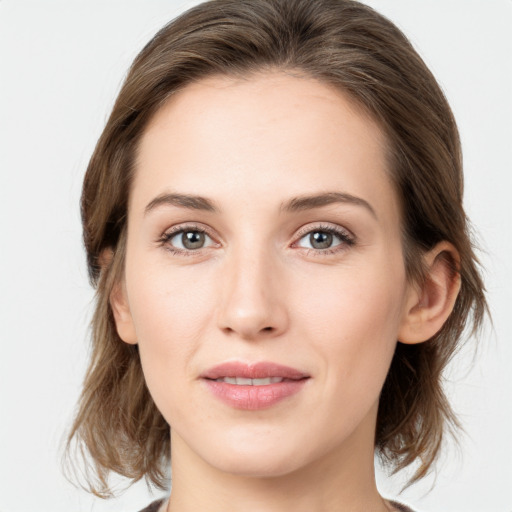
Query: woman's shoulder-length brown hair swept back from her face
{"x": 338, "y": 42}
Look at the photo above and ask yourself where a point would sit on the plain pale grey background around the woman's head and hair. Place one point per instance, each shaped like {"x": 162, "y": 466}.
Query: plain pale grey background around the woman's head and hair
{"x": 61, "y": 65}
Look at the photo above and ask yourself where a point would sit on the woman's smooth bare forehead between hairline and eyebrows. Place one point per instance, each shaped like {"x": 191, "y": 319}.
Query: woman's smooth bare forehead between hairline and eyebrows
{"x": 268, "y": 132}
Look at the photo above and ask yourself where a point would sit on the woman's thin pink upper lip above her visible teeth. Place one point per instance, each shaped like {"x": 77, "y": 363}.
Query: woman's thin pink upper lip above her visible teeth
{"x": 260, "y": 370}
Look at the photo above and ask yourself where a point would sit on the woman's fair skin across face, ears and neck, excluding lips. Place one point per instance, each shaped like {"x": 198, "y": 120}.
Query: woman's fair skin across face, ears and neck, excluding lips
{"x": 258, "y": 290}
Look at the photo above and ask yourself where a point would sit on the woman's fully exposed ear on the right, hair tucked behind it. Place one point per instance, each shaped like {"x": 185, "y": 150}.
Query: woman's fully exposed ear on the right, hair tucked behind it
{"x": 429, "y": 306}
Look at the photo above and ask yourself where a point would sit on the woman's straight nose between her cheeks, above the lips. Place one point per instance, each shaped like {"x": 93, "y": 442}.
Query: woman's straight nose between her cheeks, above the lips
{"x": 252, "y": 303}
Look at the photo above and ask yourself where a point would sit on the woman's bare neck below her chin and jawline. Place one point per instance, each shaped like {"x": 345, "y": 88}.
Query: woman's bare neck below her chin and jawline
{"x": 341, "y": 480}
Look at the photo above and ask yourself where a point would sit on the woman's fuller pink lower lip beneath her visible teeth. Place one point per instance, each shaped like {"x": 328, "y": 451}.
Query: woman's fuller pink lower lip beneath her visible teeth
{"x": 254, "y": 398}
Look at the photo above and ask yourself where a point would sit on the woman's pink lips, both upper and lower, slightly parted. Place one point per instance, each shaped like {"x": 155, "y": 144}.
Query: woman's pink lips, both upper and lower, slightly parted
{"x": 254, "y": 397}
